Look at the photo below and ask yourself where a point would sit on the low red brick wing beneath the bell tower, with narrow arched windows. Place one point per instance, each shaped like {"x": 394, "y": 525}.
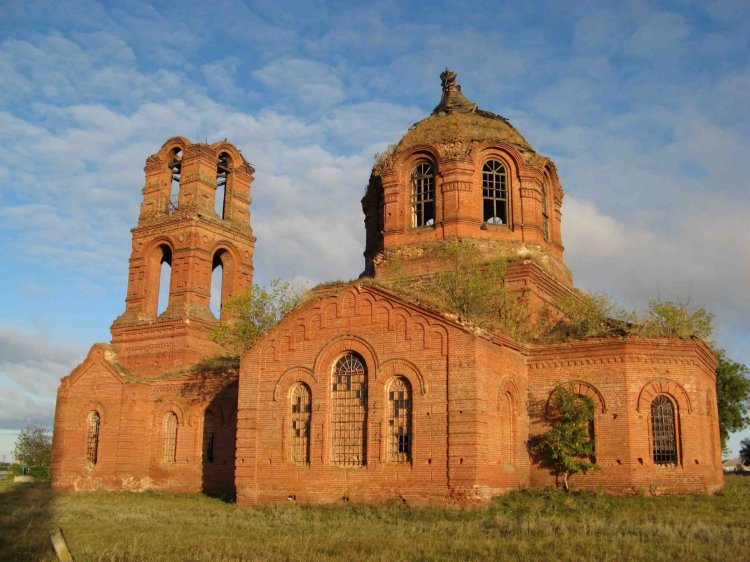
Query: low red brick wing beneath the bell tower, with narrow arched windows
{"x": 131, "y": 437}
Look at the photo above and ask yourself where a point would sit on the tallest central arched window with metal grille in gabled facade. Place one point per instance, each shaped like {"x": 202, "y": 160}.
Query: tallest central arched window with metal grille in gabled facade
{"x": 349, "y": 411}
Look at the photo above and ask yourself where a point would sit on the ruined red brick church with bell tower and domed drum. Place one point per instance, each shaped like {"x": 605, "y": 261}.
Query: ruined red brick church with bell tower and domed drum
{"x": 360, "y": 393}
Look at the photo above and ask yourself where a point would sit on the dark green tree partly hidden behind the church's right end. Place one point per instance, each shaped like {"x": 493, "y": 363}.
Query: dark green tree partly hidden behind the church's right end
{"x": 732, "y": 395}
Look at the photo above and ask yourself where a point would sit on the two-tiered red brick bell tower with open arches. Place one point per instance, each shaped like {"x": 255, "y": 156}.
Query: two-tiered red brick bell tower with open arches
{"x": 195, "y": 218}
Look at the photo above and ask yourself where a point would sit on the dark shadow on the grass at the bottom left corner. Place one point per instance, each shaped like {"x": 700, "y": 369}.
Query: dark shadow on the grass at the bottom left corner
{"x": 25, "y": 522}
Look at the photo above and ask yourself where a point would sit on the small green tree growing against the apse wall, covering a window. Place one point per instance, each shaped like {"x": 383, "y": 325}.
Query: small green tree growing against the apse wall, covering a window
{"x": 567, "y": 448}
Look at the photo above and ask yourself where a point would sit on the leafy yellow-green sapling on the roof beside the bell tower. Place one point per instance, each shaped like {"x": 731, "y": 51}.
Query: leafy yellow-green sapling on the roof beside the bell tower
{"x": 253, "y": 313}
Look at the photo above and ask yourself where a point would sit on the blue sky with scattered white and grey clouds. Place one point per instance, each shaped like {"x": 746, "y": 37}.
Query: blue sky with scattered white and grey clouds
{"x": 643, "y": 106}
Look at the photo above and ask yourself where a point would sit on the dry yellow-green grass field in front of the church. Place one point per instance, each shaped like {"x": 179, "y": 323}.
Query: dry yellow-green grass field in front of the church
{"x": 538, "y": 525}
